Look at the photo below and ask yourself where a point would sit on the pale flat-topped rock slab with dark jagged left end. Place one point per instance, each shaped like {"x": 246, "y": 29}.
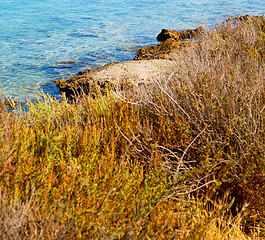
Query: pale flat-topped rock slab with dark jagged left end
{"x": 125, "y": 75}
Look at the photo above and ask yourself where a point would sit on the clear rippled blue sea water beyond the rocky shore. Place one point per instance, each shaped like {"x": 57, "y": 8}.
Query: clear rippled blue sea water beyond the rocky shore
{"x": 43, "y": 40}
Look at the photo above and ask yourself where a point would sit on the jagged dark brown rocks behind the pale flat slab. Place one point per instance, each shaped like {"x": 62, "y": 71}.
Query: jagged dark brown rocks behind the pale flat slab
{"x": 170, "y": 40}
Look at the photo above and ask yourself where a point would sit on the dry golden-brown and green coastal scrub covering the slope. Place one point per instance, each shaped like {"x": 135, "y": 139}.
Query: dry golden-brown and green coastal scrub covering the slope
{"x": 182, "y": 157}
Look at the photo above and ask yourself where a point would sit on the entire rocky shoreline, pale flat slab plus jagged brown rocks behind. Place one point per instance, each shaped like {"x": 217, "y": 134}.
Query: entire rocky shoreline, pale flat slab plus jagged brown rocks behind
{"x": 150, "y": 62}
